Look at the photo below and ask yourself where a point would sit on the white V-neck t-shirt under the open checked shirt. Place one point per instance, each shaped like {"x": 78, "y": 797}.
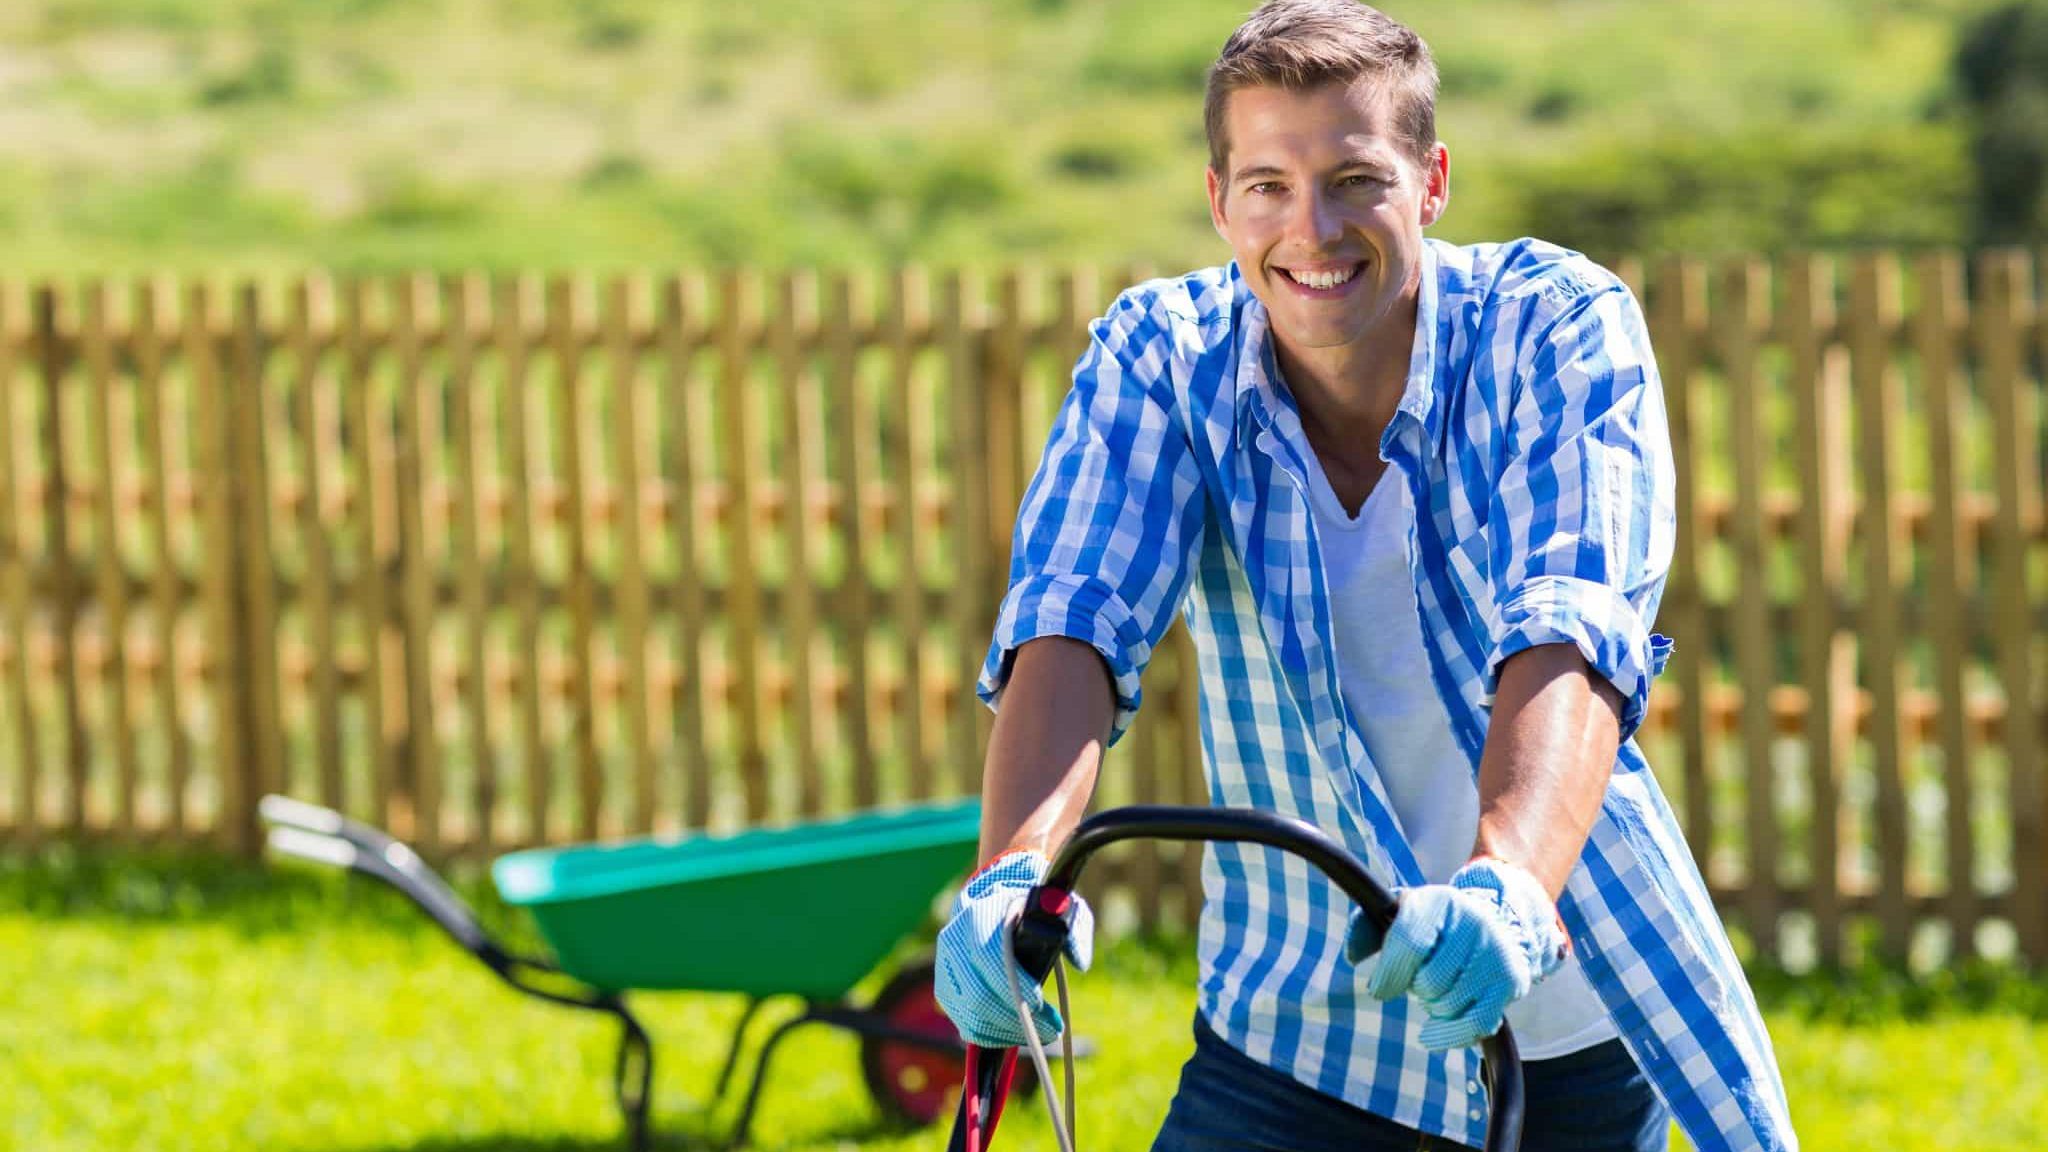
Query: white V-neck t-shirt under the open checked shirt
{"x": 1383, "y": 673}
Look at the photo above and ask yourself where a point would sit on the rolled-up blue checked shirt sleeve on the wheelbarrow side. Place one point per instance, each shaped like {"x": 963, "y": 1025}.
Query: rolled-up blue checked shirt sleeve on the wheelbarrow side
{"x": 1113, "y": 516}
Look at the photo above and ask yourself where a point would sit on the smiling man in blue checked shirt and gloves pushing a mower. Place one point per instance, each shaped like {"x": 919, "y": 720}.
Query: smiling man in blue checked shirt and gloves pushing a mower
{"x": 1416, "y": 503}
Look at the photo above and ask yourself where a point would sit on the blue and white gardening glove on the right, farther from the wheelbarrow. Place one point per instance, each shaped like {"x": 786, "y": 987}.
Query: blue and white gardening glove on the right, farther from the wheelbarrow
{"x": 1465, "y": 950}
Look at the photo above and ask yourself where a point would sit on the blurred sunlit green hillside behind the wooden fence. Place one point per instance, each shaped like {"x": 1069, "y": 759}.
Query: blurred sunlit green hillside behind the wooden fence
{"x": 603, "y": 134}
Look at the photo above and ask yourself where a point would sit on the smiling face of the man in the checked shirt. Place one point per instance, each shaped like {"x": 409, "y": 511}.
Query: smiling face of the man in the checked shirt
{"x": 1324, "y": 210}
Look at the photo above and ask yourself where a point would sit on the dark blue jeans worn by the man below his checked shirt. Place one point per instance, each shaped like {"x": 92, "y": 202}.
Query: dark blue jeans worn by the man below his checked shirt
{"x": 1586, "y": 1102}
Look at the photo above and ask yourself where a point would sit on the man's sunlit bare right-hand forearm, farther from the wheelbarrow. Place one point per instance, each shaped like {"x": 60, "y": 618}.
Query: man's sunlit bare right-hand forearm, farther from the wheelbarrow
{"x": 1547, "y": 762}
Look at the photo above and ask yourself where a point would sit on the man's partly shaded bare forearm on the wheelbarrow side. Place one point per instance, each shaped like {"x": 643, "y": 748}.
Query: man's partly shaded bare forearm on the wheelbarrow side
{"x": 1046, "y": 747}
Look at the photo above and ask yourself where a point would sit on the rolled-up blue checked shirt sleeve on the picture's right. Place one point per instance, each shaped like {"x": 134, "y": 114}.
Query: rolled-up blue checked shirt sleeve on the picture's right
{"x": 1584, "y": 516}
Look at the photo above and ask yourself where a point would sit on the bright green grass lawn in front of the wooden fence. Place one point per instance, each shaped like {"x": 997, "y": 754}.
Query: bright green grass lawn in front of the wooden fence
{"x": 194, "y": 1005}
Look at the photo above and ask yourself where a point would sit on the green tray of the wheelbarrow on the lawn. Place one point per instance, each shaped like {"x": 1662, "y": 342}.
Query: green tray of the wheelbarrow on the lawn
{"x": 804, "y": 911}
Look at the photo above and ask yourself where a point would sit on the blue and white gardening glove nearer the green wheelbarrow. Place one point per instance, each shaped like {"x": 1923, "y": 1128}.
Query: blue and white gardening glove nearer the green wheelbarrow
{"x": 974, "y": 985}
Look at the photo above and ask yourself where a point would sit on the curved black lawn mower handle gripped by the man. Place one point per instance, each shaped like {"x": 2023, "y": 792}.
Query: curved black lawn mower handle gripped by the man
{"x": 1043, "y": 925}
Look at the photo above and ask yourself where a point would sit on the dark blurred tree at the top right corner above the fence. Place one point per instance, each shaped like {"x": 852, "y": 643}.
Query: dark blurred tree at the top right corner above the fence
{"x": 2004, "y": 71}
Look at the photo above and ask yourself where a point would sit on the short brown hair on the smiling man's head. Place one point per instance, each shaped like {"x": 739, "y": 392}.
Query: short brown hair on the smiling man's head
{"x": 1306, "y": 44}
